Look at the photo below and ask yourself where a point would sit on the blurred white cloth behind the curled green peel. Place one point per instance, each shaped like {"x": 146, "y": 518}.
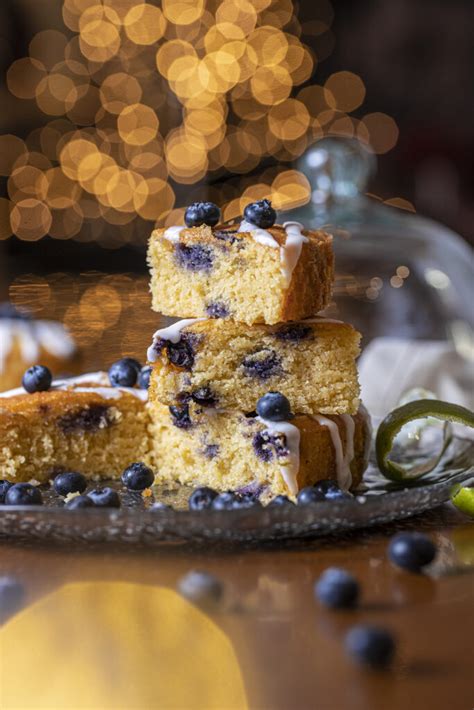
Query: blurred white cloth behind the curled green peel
{"x": 389, "y": 367}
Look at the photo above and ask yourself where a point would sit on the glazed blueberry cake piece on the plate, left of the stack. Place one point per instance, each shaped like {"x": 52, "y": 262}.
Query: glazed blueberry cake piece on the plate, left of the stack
{"x": 80, "y": 424}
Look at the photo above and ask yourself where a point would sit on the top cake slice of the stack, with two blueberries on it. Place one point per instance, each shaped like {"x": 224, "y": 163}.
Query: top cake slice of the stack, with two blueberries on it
{"x": 255, "y": 272}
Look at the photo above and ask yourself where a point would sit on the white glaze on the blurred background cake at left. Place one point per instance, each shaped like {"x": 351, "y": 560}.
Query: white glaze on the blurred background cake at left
{"x": 32, "y": 337}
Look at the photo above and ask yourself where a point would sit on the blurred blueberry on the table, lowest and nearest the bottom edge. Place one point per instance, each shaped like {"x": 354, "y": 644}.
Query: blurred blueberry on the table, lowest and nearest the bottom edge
{"x": 370, "y": 645}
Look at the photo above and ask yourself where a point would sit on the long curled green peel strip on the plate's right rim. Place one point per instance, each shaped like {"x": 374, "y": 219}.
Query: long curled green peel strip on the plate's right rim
{"x": 392, "y": 424}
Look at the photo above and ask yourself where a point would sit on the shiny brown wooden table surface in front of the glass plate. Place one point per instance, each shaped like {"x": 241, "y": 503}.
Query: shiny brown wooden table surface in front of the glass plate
{"x": 103, "y": 627}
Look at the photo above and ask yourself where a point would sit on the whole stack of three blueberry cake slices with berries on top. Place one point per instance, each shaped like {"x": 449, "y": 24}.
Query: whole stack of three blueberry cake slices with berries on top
{"x": 249, "y": 296}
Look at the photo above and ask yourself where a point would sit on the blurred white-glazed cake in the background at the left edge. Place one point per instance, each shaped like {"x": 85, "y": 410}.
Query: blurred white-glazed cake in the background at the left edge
{"x": 25, "y": 341}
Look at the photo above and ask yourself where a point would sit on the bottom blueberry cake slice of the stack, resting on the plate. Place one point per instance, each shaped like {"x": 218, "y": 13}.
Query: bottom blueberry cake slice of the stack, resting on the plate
{"x": 232, "y": 450}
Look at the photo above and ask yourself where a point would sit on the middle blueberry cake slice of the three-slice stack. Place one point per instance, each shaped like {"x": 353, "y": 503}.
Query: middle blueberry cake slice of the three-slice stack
{"x": 223, "y": 364}
